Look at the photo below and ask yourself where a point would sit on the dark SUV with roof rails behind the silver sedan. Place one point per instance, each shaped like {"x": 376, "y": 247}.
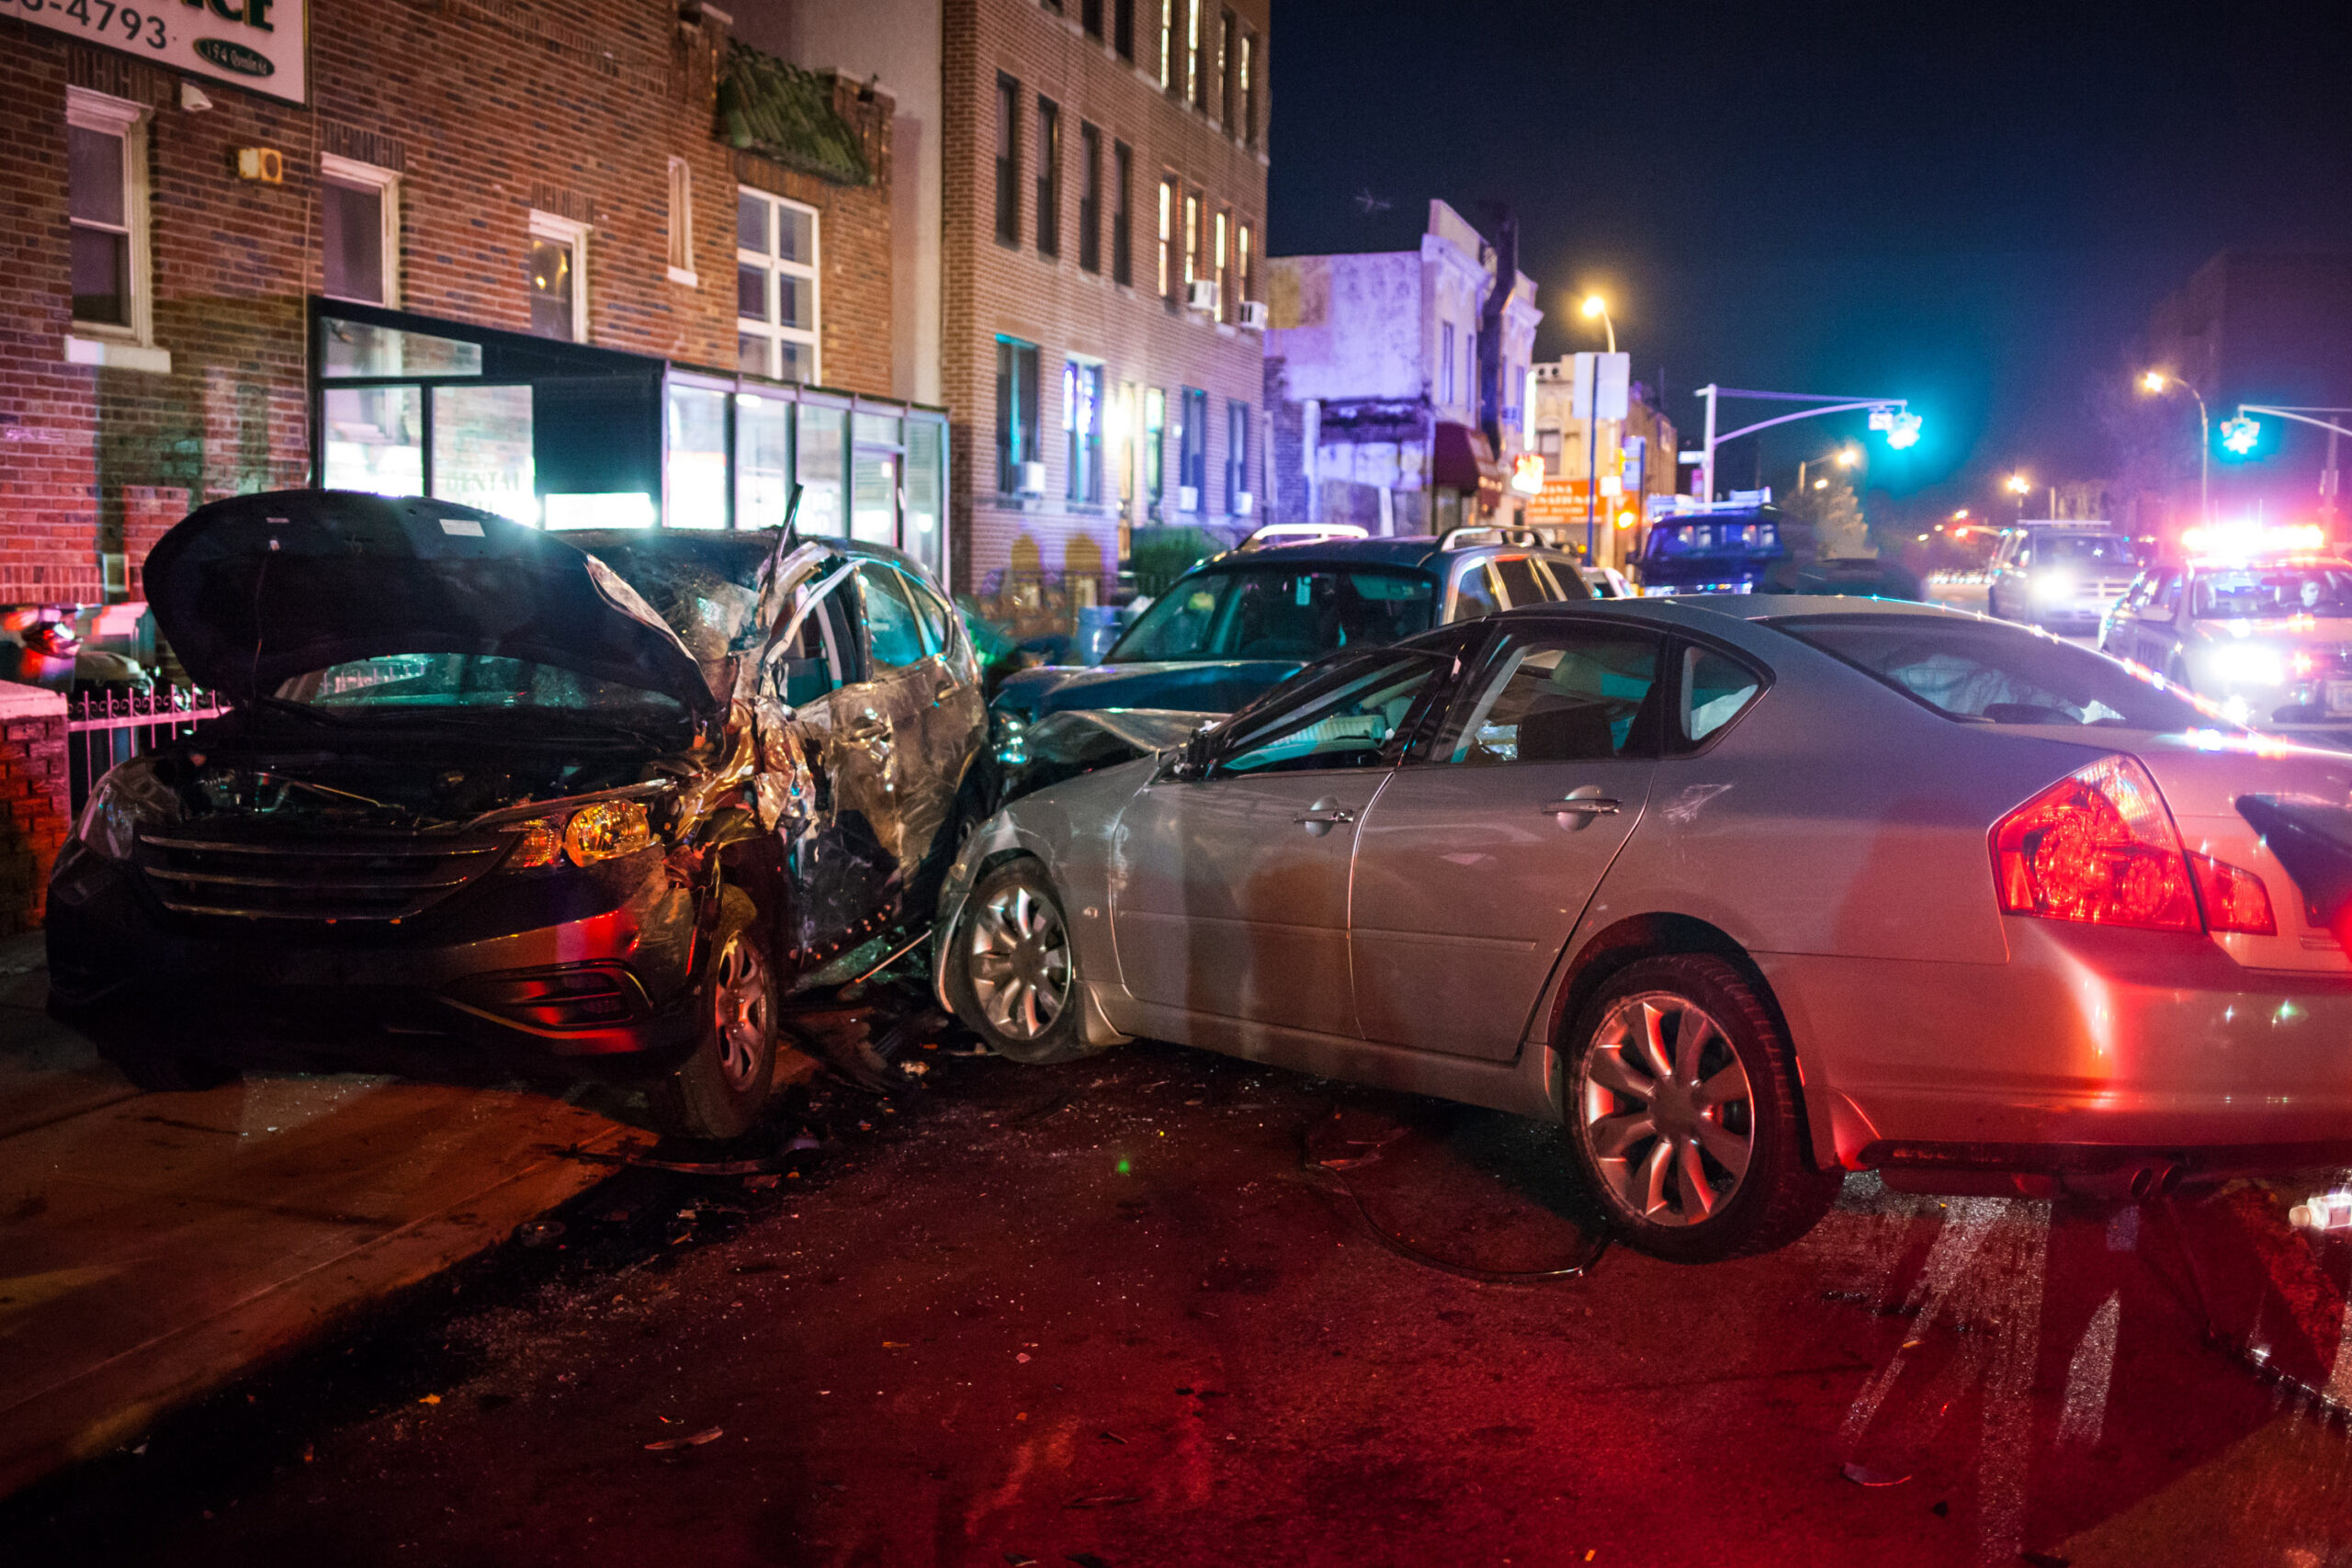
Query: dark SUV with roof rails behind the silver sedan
{"x": 1243, "y": 622}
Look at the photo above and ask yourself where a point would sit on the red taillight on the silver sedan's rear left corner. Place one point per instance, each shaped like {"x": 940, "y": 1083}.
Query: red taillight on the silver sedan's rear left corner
{"x": 2097, "y": 847}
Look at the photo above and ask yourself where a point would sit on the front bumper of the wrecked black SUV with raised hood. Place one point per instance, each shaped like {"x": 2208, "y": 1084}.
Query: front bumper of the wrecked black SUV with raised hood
{"x": 577, "y": 977}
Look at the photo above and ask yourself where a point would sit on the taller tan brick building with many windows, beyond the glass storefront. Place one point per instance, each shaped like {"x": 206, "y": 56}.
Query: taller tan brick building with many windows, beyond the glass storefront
{"x": 1104, "y": 225}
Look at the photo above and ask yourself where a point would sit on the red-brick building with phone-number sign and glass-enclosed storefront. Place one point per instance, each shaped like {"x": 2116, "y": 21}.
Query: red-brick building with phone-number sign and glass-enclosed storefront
{"x": 568, "y": 260}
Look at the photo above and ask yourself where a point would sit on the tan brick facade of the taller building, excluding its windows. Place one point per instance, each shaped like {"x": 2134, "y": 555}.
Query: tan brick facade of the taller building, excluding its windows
{"x": 1053, "y": 302}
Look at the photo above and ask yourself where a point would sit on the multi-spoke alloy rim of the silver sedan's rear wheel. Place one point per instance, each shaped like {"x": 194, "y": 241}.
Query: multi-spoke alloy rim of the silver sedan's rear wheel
{"x": 1666, "y": 1111}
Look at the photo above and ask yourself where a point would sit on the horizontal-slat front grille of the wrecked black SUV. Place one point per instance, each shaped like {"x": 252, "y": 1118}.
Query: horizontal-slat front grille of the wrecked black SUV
{"x": 309, "y": 878}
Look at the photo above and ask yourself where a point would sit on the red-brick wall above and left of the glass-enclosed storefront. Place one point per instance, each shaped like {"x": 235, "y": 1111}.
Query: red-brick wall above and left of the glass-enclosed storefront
{"x": 488, "y": 109}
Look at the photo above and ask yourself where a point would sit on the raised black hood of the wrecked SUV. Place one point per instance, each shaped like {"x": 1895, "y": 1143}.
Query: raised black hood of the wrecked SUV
{"x": 253, "y": 591}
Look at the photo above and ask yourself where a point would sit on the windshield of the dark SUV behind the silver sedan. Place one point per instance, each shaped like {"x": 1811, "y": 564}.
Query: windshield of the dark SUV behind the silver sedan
{"x": 1278, "y": 612}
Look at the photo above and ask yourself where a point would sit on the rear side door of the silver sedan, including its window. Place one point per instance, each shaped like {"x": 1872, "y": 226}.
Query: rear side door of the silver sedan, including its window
{"x": 1481, "y": 855}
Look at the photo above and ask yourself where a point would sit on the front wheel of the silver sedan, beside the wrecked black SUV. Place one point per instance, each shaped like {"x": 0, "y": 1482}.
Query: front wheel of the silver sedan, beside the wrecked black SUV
{"x": 1013, "y": 970}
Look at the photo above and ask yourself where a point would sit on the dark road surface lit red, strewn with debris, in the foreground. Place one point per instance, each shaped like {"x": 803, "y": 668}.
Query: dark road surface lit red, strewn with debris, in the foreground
{"x": 1165, "y": 1308}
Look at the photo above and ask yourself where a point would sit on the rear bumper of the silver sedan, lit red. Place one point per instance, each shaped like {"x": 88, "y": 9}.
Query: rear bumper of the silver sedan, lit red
{"x": 2087, "y": 1050}
